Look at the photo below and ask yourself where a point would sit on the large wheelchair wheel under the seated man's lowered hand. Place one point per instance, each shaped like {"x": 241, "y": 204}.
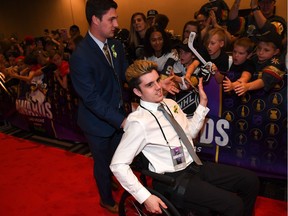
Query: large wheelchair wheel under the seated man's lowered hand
{"x": 128, "y": 206}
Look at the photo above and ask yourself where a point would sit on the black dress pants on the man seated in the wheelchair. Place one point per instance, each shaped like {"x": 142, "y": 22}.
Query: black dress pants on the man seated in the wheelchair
{"x": 228, "y": 190}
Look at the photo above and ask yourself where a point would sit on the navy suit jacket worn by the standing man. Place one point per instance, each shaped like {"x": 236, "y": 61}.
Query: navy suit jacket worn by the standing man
{"x": 97, "y": 87}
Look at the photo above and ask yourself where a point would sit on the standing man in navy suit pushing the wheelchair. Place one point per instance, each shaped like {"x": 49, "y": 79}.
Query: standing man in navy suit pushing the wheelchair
{"x": 98, "y": 82}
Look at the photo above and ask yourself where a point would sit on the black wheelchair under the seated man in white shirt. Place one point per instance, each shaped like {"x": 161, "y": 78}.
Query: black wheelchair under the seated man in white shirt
{"x": 129, "y": 206}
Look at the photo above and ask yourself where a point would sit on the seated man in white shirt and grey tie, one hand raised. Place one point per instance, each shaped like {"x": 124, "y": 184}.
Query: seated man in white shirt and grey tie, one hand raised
{"x": 224, "y": 189}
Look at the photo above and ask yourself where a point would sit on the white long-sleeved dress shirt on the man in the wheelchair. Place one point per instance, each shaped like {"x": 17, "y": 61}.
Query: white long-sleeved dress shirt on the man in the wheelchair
{"x": 142, "y": 133}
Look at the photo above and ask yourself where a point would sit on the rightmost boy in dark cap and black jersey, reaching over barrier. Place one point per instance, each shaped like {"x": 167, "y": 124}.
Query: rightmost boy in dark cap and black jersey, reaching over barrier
{"x": 270, "y": 68}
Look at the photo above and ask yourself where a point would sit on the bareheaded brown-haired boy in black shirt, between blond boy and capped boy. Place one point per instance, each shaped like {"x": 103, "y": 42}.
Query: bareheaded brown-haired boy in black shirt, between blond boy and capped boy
{"x": 242, "y": 67}
